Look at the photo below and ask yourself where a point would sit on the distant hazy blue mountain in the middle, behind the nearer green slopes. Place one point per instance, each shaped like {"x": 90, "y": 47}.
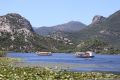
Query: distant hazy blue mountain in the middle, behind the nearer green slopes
{"x": 72, "y": 26}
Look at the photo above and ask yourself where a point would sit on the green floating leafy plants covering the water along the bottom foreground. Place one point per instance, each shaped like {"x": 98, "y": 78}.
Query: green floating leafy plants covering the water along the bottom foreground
{"x": 8, "y": 72}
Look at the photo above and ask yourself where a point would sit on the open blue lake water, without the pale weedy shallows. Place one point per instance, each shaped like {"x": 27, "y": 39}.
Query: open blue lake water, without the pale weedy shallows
{"x": 102, "y": 62}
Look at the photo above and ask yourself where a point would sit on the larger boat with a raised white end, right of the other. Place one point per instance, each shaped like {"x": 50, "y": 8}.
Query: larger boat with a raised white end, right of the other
{"x": 87, "y": 54}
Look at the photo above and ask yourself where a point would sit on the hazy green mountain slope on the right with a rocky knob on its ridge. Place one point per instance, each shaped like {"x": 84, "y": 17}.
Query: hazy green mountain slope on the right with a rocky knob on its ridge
{"x": 107, "y": 29}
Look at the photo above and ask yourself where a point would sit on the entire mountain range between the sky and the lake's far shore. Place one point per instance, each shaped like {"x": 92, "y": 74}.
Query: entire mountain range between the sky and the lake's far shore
{"x": 17, "y": 34}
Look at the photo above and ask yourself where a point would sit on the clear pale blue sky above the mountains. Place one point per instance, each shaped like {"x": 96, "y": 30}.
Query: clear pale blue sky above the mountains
{"x": 53, "y": 12}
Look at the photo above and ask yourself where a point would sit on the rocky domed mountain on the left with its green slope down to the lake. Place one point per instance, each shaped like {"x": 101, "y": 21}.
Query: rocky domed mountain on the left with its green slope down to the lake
{"x": 17, "y": 34}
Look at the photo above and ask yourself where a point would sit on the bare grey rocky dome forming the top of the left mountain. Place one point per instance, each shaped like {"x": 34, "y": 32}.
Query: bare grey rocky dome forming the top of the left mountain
{"x": 14, "y": 23}
